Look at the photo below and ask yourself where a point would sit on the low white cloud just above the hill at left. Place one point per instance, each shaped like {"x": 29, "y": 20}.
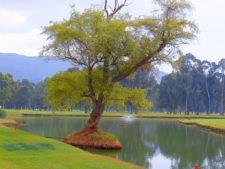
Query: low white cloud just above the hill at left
{"x": 27, "y": 43}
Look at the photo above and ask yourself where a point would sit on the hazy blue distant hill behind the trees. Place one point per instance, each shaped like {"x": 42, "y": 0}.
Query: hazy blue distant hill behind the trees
{"x": 36, "y": 68}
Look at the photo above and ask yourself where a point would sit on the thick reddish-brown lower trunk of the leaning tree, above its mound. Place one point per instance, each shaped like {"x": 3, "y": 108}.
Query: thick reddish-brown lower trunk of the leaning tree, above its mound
{"x": 95, "y": 116}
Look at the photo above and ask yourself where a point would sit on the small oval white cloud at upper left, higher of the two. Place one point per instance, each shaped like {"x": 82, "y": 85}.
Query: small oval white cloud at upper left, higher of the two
{"x": 11, "y": 19}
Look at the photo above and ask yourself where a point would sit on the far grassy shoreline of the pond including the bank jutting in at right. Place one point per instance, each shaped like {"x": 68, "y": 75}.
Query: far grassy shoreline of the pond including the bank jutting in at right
{"x": 207, "y": 122}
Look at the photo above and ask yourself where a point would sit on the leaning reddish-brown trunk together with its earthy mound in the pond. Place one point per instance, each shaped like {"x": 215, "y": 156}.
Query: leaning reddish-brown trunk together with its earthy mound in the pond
{"x": 91, "y": 136}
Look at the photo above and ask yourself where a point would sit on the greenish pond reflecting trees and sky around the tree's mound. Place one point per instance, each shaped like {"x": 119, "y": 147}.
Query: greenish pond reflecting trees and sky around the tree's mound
{"x": 154, "y": 144}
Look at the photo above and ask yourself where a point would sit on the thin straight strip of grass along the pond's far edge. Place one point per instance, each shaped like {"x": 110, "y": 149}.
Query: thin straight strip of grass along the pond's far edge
{"x": 11, "y": 112}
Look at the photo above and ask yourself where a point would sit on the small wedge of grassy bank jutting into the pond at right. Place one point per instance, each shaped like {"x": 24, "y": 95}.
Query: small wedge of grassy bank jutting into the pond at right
{"x": 215, "y": 125}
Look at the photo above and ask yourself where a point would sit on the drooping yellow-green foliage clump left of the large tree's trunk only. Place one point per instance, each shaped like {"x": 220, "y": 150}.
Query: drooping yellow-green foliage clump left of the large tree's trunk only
{"x": 66, "y": 89}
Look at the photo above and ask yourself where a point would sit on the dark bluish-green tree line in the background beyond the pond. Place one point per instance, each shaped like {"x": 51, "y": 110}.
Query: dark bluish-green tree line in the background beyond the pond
{"x": 196, "y": 86}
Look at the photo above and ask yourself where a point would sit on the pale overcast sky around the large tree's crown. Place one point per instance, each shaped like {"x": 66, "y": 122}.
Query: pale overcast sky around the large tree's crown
{"x": 21, "y": 22}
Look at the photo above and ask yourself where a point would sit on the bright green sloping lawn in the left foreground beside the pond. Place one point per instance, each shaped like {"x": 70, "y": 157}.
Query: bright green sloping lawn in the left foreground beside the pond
{"x": 21, "y": 150}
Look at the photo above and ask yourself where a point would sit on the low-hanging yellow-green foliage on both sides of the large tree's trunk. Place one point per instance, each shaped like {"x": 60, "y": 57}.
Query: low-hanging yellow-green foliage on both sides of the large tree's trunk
{"x": 67, "y": 88}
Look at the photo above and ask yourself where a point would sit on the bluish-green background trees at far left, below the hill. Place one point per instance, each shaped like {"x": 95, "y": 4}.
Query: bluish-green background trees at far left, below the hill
{"x": 21, "y": 94}
